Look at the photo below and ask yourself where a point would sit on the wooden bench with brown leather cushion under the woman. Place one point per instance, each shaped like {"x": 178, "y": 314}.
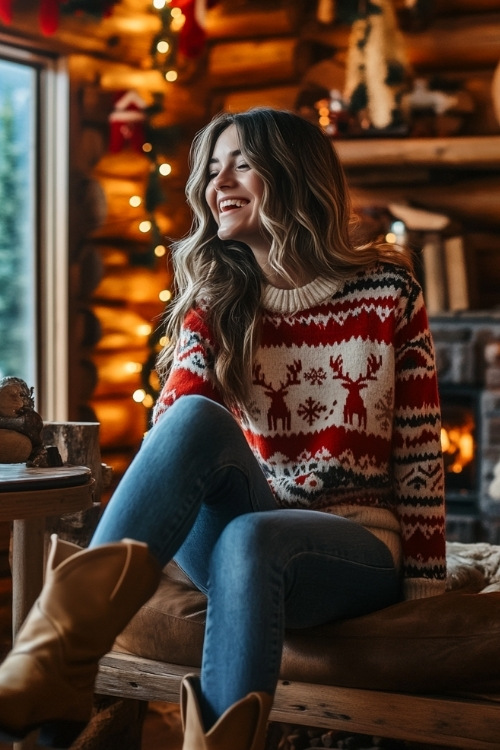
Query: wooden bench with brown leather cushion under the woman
{"x": 370, "y": 675}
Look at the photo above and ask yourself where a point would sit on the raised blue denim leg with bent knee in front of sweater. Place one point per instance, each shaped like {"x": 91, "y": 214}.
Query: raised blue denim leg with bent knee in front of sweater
{"x": 193, "y": 474}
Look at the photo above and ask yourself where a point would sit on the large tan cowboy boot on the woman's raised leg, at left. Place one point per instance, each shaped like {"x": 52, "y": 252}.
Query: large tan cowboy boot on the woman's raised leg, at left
{"x": 47, "y": 680}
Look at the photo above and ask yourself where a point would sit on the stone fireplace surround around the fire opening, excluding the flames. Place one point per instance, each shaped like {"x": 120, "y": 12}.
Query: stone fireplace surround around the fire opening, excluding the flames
{"x": 467, "y": 348}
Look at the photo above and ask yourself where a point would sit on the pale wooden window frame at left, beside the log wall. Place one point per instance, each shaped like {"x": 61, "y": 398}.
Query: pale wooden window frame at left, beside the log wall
{"x": 51, "y": 308}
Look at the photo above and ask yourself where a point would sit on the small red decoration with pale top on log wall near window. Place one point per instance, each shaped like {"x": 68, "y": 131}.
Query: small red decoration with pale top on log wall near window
{"x": 127, "y": 123}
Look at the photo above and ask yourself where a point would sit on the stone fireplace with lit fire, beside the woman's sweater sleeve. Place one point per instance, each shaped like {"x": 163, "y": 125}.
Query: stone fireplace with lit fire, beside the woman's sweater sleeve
{"x": 468, "y": 362}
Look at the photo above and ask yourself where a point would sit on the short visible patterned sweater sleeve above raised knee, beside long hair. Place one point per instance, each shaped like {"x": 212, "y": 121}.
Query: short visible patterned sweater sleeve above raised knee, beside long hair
{"x": 192, "y": 370}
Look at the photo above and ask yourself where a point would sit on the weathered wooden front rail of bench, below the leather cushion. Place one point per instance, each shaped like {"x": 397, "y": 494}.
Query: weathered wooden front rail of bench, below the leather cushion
{"x": 446, "y": 721}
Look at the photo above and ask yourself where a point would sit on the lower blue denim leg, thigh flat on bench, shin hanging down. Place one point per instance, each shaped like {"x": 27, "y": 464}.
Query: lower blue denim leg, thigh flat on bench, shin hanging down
{"x": 284, "y": 568}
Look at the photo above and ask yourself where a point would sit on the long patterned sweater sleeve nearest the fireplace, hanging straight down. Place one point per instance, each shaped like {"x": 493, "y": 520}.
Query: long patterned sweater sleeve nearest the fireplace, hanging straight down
{"x": 418, "y": 465}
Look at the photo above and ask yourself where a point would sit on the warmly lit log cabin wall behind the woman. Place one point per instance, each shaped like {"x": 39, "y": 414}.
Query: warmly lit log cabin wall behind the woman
{"x": 279, "y": 54}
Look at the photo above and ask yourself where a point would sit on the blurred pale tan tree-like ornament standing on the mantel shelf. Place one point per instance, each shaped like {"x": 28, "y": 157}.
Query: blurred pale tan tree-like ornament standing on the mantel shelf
{"x": 376, "y": 64}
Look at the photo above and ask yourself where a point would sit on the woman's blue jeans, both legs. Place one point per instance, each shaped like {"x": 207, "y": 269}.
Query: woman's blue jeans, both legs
{"x": 195, "y": 492}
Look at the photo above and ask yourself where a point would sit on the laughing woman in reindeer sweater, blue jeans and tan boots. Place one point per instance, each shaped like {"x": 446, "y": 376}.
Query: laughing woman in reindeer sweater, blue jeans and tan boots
{"x": 293, "y": 470}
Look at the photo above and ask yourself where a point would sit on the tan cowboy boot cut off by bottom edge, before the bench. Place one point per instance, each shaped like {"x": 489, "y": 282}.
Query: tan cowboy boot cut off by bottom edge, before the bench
{"x": 241, "y": 727}
